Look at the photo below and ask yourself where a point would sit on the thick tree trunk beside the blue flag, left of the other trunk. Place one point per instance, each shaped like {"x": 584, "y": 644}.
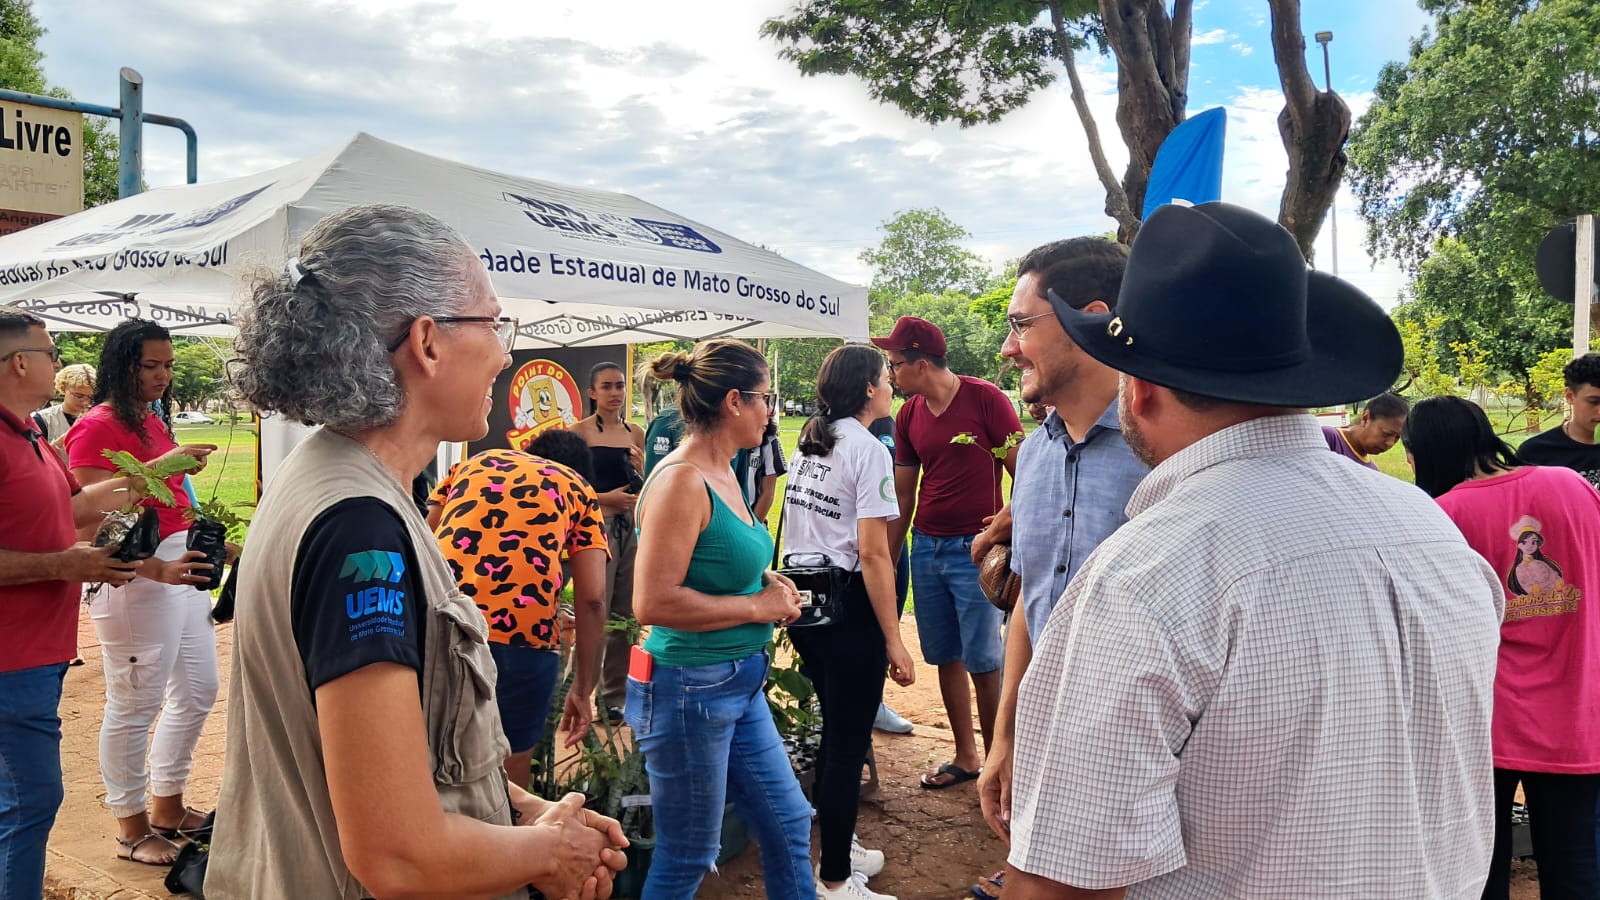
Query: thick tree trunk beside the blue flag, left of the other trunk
{"x": 1153, "y": 81}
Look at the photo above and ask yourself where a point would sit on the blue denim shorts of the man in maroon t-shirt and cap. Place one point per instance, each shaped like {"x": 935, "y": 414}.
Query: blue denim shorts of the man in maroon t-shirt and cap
{"x": 956, "y": 624}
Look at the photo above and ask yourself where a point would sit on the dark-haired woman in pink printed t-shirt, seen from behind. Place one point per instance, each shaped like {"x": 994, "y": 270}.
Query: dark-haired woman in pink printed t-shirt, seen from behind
{"x": 1540, "y": 529}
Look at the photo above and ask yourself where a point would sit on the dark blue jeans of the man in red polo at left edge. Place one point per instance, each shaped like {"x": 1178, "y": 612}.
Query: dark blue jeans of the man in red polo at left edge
{"x": 30, "y": 774}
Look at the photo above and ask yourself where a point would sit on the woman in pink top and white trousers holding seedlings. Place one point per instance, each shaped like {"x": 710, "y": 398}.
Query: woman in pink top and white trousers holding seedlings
{"x": 156, "y": 632}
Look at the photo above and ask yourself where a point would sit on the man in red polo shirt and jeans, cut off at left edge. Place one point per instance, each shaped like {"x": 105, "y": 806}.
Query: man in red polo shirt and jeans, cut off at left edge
{"x": 42, "y": 571}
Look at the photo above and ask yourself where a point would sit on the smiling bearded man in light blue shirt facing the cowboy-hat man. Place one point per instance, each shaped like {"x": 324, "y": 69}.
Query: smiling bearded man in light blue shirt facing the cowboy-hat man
{"x": 1074, "y": 475}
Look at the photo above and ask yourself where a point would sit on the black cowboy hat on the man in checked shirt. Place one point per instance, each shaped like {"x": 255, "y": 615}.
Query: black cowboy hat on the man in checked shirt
{"x": 1218, "y": 302}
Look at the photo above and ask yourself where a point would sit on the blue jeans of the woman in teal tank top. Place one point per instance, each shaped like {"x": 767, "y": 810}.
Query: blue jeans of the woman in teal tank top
{"x": 708, "y": 737}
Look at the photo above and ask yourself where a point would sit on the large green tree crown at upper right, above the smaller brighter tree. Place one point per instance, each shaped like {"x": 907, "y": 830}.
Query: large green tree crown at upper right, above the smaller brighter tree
{"x": 1490, "y": 132}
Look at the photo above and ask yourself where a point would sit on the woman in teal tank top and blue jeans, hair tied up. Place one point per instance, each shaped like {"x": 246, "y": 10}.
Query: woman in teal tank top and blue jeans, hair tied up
{"x": 702, "y": 584}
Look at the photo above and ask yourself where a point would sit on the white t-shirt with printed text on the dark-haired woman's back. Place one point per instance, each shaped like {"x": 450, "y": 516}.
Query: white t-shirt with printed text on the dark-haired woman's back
{"x": 828, "y": 496}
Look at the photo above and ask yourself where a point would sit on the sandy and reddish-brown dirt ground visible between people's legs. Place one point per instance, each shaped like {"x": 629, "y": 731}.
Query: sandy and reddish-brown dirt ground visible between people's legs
{"x": 937, "y": 842}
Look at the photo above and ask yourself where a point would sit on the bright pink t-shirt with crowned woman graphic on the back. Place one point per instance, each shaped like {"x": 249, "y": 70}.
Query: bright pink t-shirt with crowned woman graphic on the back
{"x": 1540, "y": 529}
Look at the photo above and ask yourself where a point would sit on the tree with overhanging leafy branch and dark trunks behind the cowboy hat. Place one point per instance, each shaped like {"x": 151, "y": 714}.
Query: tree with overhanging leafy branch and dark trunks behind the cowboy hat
{"x": 977, "y": 62}
